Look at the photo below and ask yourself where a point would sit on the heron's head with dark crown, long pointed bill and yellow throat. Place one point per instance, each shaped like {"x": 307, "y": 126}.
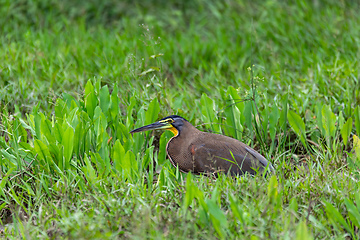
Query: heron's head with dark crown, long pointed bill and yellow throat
{"x": 172, "y": 123}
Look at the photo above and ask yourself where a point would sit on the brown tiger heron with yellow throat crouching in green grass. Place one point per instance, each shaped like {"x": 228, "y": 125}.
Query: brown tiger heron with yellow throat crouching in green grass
{"x": 200, "y": 152}
